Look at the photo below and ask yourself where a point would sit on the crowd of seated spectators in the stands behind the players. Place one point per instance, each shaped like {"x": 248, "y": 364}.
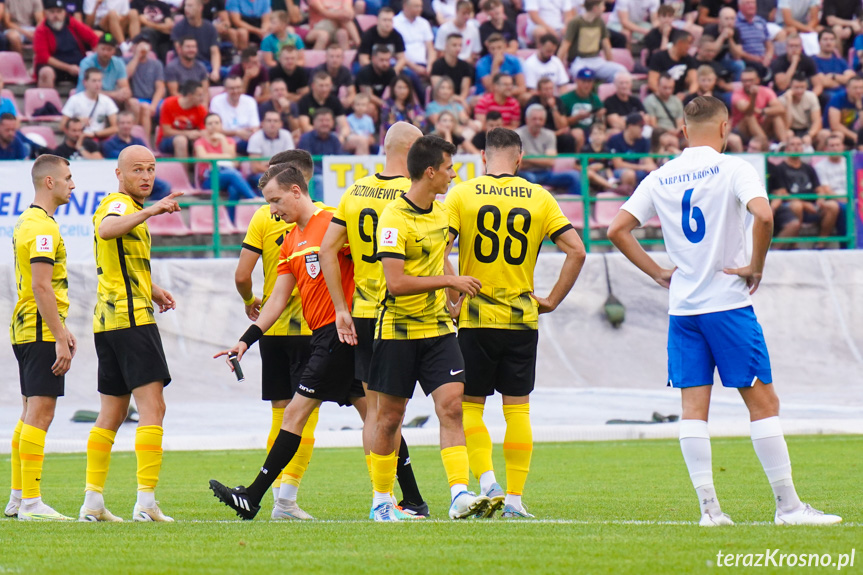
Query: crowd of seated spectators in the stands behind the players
{"x": 243, "y": 79}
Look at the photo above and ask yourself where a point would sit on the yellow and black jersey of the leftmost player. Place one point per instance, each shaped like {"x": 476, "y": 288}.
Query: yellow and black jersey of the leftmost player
{"x": 36, "y": 239}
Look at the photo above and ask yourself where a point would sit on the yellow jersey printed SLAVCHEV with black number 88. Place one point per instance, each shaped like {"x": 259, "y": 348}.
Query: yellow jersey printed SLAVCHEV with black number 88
{"x": 502, "y": 221}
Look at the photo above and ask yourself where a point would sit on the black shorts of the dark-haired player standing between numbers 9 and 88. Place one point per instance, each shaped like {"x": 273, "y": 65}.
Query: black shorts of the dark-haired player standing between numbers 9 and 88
{"x": 397, "y": 365}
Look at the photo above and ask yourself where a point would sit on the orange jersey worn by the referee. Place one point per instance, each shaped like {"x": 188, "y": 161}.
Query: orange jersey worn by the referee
{"x": 299, "y": 256}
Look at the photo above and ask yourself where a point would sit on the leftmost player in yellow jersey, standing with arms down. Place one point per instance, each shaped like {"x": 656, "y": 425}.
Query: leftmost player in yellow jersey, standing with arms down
{"x": 43, "y": 346}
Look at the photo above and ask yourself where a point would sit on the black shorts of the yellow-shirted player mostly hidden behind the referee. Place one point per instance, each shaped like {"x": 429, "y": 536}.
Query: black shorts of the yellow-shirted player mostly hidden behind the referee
{"x": 283, "y": 360}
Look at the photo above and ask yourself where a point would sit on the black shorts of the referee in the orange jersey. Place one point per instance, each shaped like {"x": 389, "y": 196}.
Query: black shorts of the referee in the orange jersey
{"x": 329, "y": 373}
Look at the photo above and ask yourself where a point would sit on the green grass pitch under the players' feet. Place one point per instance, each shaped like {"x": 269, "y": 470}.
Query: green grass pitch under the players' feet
{"x": 610, "y": 507}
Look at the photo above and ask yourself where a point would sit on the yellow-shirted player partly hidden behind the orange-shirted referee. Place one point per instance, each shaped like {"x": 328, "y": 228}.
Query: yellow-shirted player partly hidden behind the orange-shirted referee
{"x": 285, "y": 346}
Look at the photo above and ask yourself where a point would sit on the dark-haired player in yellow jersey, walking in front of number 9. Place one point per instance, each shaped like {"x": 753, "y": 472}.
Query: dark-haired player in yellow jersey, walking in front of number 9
{"x": 414, "y": 335}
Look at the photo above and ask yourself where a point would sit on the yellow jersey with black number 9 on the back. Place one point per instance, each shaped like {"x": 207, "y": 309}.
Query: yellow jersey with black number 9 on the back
{"x": 359, "y": 211}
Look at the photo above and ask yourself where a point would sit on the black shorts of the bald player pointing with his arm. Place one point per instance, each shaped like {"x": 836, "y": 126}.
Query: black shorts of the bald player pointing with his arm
{"x": 130, "y": 358}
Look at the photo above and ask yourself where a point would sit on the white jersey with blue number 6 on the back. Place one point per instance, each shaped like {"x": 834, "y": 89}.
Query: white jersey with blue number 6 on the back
{"x": 700, "y": 198}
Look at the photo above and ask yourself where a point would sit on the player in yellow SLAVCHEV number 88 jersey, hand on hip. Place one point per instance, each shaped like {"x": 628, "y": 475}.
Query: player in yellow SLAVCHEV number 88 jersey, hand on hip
{"x": 502, "y": 220}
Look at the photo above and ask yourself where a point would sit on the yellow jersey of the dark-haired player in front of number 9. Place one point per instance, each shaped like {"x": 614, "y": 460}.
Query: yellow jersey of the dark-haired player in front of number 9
{"x": 419, "y": 237}
